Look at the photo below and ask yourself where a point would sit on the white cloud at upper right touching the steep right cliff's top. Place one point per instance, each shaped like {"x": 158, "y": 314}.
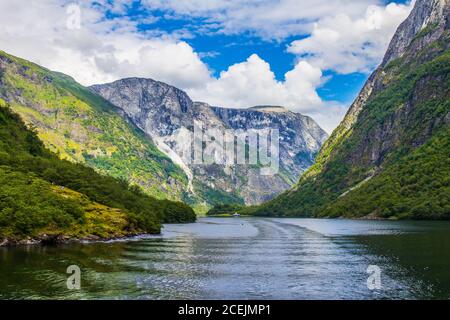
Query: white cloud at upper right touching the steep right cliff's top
{"x": 348, "y": 45}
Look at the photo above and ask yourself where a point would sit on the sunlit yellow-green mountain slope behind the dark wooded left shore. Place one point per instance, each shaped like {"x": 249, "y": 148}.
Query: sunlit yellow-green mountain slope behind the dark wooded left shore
{"x": 84, "y": 128}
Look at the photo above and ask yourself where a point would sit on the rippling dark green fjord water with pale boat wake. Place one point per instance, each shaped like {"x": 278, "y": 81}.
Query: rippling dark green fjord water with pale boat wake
{"x": 243, "y": 258}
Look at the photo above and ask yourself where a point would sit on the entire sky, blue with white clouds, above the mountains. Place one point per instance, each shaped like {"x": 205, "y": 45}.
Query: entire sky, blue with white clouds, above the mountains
{"x": 310, "y": 56}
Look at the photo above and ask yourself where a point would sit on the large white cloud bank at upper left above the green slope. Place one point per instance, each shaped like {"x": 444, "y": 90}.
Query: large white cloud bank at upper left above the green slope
{"x": 101, "y": 50}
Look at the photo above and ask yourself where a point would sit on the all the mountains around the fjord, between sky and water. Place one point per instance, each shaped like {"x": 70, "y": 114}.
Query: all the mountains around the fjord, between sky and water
{"x": 107, "y": 161}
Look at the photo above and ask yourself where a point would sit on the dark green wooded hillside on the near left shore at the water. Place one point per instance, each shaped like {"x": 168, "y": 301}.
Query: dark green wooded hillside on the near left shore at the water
{"x": 42, "y": 194}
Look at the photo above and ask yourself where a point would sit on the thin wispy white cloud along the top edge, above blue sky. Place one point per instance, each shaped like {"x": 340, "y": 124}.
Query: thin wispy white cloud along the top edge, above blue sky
{"x": 266, "y": 18}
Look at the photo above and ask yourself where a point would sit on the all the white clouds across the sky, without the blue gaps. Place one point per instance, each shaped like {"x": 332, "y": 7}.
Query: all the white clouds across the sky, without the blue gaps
{"x": 104, "y": 50}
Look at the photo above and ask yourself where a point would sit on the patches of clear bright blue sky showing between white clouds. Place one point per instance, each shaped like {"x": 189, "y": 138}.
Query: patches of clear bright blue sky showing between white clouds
{"x": 220, "y": 51}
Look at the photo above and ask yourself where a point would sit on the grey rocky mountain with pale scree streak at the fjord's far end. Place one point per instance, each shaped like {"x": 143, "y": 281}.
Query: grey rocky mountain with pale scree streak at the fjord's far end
{"x": 168, "y": 115}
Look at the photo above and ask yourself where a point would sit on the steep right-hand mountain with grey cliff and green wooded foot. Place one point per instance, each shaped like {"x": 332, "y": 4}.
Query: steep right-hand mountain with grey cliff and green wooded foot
{"x": 389, "y": 157}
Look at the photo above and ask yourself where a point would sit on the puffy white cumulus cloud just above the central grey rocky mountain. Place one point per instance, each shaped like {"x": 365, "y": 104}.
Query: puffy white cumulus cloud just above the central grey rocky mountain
{"x": 253, "y": 83}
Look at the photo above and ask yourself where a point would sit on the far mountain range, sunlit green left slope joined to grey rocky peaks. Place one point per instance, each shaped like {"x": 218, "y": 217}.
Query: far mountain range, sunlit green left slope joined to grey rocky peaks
{"x": 139, "y": 136}
